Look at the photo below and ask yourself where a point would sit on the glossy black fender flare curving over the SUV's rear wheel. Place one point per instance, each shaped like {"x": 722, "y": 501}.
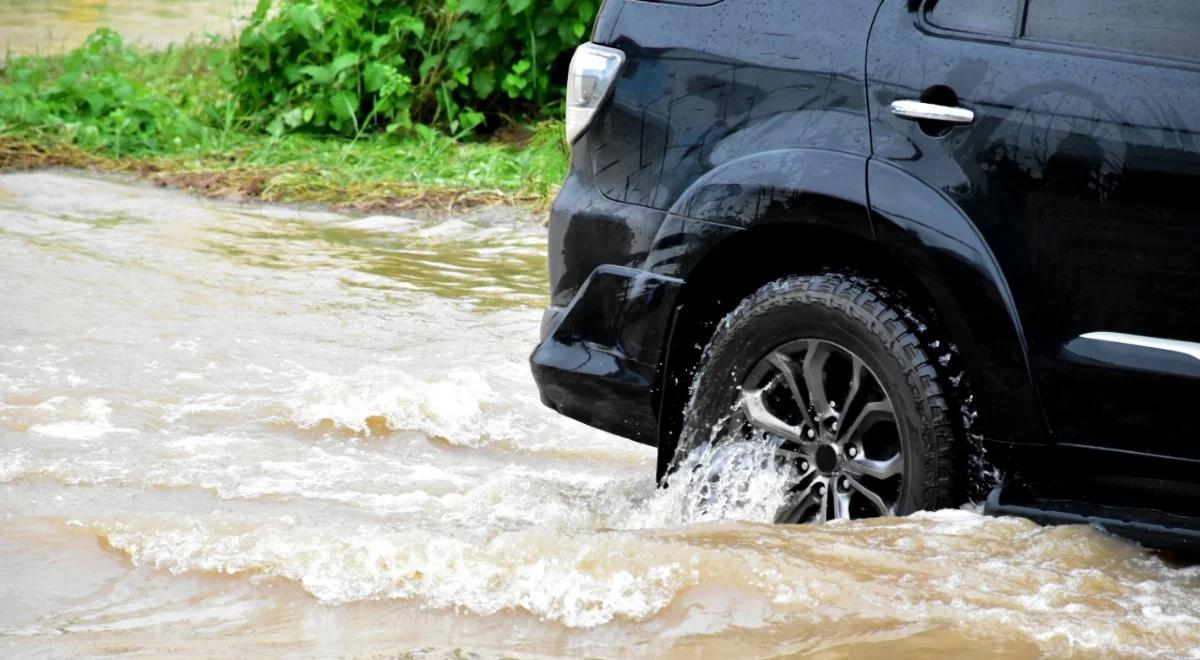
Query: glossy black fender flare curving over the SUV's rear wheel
{"x": 915, "y": 225}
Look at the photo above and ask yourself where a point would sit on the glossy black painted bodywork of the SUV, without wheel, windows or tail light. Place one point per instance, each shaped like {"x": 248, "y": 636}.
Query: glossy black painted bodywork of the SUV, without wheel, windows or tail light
{"x": 763, "y": 128}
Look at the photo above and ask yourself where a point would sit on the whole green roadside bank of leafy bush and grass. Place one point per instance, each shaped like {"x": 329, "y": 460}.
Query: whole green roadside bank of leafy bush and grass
{"x": 349, "y": 103}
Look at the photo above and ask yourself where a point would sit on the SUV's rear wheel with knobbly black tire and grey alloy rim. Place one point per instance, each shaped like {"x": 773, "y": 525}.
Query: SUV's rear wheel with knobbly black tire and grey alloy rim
{"x": 830, "y": 371}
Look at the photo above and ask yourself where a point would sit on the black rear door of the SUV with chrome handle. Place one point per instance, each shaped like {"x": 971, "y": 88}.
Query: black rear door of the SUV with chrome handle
{"x": 1078, "y": 160}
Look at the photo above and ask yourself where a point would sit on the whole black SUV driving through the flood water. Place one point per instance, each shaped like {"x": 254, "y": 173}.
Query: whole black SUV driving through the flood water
{"x": 892, "y": 239}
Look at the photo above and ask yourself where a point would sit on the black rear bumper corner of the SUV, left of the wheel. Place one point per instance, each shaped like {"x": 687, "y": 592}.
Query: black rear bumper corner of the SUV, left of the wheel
{"x": 602, "y": 355}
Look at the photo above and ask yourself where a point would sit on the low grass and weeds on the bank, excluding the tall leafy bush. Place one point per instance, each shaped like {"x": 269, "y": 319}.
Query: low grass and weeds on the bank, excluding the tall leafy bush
{"x": 171, "y": 117}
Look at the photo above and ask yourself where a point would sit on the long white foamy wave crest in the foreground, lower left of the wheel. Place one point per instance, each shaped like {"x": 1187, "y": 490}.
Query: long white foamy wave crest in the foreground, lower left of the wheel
{"x": 577, "y": 583}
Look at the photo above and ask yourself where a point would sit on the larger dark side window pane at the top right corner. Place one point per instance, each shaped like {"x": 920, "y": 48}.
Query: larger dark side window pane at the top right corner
{"x": 1163, "y": 28}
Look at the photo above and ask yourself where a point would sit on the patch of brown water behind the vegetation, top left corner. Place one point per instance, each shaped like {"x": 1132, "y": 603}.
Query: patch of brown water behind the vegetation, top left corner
{"x": 31, "y": 27}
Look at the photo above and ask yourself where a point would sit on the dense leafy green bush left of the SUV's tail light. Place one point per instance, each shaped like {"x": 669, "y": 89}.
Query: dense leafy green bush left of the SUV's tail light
{"x": 345, "y": 67}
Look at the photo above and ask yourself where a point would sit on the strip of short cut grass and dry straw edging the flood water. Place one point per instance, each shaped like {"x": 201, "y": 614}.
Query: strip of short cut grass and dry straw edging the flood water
{"x": 376, "y": 173}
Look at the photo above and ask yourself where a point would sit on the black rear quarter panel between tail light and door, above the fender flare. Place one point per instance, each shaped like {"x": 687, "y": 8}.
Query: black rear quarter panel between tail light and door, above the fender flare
{"x": 680, "y": 112}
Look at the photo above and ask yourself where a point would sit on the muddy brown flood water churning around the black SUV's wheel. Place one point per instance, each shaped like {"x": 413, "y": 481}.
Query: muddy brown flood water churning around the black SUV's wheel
{"x": 249, "y": 430}
